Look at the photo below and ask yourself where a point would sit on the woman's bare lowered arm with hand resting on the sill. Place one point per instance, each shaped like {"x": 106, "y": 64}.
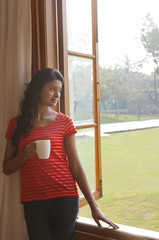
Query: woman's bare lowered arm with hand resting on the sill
{"x": 79, "y": 175}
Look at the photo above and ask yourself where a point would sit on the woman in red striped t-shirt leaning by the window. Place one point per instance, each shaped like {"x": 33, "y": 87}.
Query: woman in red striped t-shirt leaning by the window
{"x": 48, "y": 186}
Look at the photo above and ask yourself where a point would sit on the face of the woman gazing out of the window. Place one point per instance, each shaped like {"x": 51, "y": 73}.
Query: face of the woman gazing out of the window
{"x": 50, "y": 93}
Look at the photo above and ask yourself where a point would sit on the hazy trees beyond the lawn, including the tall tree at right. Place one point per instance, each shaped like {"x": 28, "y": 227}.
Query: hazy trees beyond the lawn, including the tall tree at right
{"x": 125, "y": 89}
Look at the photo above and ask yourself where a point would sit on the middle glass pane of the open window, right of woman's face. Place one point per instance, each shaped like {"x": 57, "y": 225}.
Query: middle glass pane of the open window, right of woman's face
{"x": 81, "y": 89}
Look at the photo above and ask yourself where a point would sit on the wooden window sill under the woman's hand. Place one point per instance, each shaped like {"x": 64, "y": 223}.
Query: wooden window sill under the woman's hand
{"x": 87, "y": 229}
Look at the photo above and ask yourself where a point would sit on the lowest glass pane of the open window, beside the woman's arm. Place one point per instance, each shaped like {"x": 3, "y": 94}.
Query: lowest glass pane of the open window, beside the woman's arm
{"x": 85, "y": 142}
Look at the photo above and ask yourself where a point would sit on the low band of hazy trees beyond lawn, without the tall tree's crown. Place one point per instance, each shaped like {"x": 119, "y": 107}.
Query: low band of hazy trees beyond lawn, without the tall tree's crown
{"x": 126, "y": 91}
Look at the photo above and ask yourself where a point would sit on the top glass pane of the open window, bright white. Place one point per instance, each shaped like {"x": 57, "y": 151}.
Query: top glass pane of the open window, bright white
{"x": 79, "y": 26}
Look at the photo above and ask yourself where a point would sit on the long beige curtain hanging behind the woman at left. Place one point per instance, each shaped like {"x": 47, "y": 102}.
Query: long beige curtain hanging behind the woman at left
{"x": 15, "y": 70}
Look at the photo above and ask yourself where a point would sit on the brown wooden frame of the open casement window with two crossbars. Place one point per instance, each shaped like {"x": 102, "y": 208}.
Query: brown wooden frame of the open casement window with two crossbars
{"x": 63, "y": 66}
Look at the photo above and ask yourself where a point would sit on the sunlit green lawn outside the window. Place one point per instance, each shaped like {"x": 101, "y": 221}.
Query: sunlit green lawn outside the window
{"x": 130, "y": 166}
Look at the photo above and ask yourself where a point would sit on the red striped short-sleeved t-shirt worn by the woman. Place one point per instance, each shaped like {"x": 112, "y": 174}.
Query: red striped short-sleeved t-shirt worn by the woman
{"x": 48, "y": 178}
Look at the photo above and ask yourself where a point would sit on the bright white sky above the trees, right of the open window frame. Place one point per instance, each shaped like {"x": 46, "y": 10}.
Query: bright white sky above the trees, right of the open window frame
{"x": 120, "y": 23}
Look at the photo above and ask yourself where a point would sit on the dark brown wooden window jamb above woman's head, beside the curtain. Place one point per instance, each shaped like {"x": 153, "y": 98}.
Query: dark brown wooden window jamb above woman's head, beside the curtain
{"x": 44, "y": 28}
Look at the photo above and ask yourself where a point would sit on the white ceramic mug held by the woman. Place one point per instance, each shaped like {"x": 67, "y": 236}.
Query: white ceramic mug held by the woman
{"x": 43, "y": 149}
